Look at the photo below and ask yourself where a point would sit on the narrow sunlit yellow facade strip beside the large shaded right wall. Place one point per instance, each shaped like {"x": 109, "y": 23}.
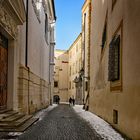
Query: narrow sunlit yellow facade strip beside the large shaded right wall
{"x": 86, "y": 21}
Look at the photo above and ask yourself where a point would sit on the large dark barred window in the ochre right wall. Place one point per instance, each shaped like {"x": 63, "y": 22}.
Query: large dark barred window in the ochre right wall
{"x": 114, "y": 59}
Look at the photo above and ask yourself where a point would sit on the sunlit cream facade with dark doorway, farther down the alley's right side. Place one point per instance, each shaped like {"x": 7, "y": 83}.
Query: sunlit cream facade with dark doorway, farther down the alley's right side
{"x": 75, "y": 65}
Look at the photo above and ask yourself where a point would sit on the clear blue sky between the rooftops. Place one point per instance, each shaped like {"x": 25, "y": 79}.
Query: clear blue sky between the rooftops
{"x": 68, "y": 22}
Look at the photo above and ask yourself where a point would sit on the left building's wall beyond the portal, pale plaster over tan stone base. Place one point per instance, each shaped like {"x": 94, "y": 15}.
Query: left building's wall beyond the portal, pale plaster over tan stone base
{"x": 35, "y": 81}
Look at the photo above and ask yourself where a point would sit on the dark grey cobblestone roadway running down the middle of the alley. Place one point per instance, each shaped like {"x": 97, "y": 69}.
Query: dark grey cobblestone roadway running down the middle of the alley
{"x": 61, "y": 123}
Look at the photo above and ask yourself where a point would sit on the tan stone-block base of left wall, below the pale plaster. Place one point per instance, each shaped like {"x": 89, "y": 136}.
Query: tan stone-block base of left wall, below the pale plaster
{"x": 32, "y": 91}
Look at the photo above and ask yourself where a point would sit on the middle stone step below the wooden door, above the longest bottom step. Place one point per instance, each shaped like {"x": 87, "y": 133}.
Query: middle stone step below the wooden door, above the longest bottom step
{"x": 12, "y": 118}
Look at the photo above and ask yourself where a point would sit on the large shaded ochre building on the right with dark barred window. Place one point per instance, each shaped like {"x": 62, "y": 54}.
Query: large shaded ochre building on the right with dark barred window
{"x": 115, "y": 65}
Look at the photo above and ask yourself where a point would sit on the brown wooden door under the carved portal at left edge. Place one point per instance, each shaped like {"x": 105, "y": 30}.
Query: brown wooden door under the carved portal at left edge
{"x": 3, "y": 70}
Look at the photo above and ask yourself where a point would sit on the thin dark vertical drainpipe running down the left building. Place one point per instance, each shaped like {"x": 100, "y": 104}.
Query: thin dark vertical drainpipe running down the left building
{"x": 26, "y": 50}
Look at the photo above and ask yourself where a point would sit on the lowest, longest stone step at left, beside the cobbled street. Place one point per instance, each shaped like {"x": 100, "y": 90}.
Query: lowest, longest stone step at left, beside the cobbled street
{"x": 22, "y": 127}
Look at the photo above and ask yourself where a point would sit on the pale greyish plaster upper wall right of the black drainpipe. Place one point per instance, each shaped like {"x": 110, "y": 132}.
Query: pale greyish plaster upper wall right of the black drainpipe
{"x": 38, "y": 49}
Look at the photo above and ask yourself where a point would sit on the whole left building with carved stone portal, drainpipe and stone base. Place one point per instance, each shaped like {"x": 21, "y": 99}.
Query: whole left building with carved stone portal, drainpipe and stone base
{"x": 26, "y": 47}
